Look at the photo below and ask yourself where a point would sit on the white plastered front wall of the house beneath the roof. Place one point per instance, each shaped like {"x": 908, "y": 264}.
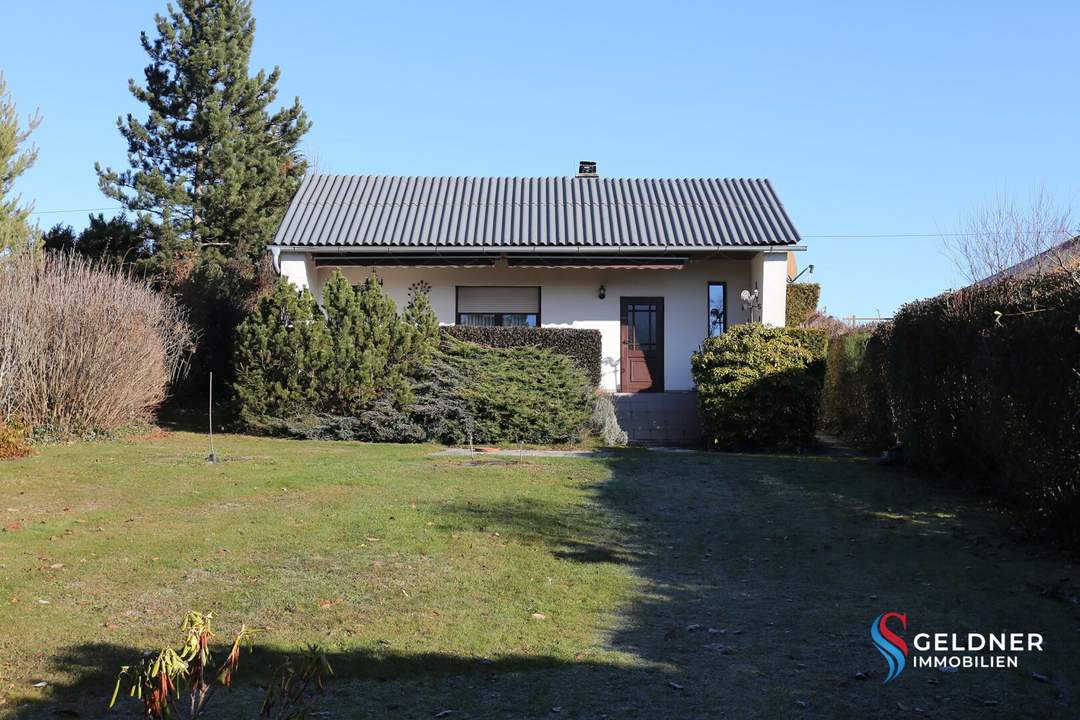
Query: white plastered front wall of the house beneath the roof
{"x": 571, "y": 297}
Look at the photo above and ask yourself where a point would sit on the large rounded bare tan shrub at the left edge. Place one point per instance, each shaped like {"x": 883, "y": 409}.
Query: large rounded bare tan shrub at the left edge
{"x": 85, "y": 348}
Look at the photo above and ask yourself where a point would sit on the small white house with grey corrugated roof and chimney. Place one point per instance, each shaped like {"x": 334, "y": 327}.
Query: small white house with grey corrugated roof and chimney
{"x": 654, "y": 265}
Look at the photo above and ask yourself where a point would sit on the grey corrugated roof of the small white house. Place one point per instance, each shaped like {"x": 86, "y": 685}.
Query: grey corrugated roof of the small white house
{"x": 548, "y": 213}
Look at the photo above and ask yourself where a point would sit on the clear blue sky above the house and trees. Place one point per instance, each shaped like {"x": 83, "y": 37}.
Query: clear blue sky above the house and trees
{"x": 871, "y": 119}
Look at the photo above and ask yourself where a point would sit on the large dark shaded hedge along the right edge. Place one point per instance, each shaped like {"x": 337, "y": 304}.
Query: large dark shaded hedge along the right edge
{"x": 985, "y": 386}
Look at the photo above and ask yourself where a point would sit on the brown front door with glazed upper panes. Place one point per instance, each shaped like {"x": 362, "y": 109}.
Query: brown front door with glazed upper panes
{"x": 642, "y": 322}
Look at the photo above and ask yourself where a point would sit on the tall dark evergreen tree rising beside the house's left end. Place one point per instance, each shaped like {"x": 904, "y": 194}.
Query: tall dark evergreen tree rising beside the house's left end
{"x": 212, "y": 169}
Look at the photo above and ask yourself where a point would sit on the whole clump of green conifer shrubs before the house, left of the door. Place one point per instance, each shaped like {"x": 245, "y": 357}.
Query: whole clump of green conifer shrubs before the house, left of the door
{"x": 360, "y": 371}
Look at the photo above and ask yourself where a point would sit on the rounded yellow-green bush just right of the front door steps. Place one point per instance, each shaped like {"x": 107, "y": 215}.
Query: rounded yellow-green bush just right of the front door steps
{"x": 760, "y": 387}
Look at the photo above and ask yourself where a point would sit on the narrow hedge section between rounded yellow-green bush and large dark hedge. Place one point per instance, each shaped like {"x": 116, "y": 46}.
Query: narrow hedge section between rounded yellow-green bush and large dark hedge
{"x": 855, "y": 399}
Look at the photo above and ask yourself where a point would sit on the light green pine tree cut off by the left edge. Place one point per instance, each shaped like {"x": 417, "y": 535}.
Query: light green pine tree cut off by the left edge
{"x": 17, "y": 234}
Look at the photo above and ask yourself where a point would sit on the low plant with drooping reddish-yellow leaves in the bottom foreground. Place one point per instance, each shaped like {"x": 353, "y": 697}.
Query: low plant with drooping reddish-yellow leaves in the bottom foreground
{"x": 160, "y": 680}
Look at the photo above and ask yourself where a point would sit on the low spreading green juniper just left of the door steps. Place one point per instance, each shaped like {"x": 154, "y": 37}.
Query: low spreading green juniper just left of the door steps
{"x": 524, "y": 395}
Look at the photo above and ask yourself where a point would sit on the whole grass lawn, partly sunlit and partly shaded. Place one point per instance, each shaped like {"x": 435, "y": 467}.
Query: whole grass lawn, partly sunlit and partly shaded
{"x": 634, "y": 586}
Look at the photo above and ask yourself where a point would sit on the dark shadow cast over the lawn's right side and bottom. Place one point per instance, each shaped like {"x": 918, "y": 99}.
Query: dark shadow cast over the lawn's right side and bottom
{"x": 760, "y": 577}
